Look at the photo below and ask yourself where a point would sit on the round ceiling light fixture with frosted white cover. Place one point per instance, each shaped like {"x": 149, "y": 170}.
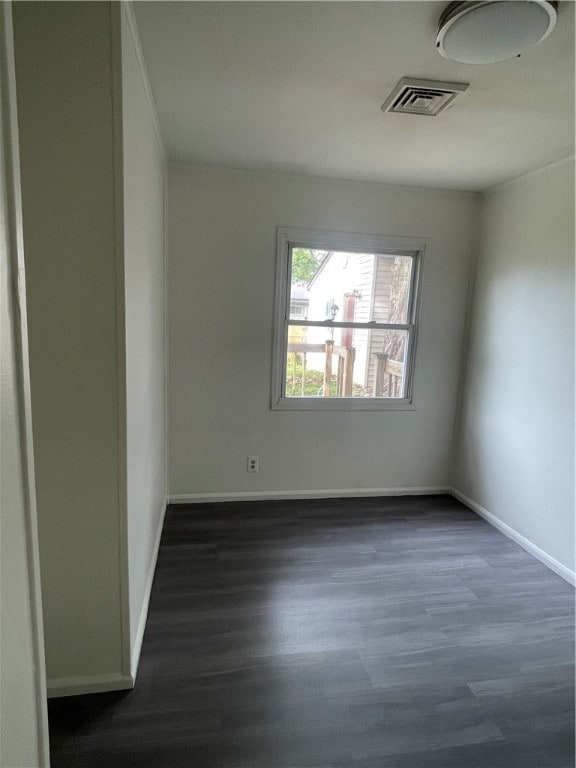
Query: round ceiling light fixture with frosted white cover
{"x": 485, "y": 31}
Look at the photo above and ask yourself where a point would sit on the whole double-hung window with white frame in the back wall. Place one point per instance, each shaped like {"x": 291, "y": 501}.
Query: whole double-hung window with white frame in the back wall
{"x": 346, "y": 321}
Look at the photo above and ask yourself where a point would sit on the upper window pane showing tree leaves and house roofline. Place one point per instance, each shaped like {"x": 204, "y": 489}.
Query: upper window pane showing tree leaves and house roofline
{"x": 341, "y": 286}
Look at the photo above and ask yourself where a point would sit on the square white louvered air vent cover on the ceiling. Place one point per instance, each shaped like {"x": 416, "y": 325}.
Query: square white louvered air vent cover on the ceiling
{"x": 422, "y": 97}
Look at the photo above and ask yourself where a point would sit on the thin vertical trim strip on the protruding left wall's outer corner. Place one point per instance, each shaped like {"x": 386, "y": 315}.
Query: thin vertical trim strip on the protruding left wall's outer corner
{"x": 118, "y": 192}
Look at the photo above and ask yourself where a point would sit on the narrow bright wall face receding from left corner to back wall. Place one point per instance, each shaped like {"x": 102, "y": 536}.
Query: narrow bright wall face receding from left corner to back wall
{"x": 145, "y": 330}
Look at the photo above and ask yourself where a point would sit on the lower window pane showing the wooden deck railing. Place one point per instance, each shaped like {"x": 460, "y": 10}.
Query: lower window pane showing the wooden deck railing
{"x": 354, "y": 362}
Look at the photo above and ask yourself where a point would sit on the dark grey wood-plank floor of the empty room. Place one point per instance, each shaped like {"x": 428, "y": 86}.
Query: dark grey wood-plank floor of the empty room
{"x": 342, "y": 633}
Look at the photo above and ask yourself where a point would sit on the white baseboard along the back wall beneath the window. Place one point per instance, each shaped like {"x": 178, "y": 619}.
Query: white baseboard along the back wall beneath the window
{"x": 330, "y": 493}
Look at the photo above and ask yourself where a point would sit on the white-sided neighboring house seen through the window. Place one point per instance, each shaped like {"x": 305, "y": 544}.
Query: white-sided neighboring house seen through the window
{"x": 353, "y": 287}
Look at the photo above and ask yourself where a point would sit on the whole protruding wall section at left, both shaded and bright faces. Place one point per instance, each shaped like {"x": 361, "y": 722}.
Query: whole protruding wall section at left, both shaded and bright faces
{"x": 93, "y": 184}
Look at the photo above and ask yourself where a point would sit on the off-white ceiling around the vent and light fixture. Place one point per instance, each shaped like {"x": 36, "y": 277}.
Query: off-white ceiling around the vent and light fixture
{"x": 296, "y": 87}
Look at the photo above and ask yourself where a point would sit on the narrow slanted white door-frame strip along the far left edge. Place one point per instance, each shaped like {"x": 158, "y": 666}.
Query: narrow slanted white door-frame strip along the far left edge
{"x": 17, "y": 270}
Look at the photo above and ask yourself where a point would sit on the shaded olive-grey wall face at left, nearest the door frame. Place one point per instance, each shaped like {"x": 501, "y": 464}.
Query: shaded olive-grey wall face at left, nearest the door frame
{"x": 69, "y": 163}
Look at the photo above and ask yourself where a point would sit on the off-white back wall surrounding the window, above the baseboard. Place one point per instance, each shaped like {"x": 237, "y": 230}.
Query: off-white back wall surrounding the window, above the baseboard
{"x": 222, "y": 227}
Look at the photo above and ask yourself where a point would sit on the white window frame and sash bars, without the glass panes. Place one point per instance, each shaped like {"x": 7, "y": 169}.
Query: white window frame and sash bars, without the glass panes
{"x": 315, "y": 239}
